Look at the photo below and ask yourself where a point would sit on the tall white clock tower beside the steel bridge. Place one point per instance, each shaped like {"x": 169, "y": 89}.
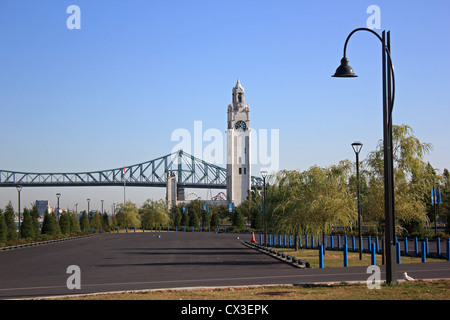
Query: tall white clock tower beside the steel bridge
{"x": 238, "y": 147}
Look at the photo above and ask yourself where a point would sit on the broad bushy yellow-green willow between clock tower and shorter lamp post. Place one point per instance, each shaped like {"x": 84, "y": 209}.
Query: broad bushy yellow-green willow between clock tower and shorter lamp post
{"x": 311, "y": 201}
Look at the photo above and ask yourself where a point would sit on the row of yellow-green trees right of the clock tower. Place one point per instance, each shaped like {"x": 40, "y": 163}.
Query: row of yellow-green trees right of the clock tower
{"x": 317, "y": 200}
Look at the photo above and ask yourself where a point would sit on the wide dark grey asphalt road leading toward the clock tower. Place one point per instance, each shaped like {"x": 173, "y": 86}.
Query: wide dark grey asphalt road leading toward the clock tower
{"x": 138, "y": 261}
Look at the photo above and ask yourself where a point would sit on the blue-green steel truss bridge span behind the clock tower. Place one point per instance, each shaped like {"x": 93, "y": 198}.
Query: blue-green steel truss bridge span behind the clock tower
{"x": 190, "y": 172}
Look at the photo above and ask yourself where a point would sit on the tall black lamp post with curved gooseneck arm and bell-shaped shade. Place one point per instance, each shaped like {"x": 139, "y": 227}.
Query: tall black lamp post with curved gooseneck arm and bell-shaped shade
{"x": 346, "y": 71}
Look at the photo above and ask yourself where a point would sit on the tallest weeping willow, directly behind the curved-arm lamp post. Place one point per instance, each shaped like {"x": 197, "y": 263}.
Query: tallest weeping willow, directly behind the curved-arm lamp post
{"x": 412, "y": 180}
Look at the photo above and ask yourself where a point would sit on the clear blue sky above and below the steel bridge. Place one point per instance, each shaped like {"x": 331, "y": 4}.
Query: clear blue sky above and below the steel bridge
{"x": 113, "y": 92}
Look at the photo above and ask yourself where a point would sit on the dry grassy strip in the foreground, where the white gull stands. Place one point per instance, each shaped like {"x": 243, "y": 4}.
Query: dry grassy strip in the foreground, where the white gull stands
{"x": 417, "y": 290}
